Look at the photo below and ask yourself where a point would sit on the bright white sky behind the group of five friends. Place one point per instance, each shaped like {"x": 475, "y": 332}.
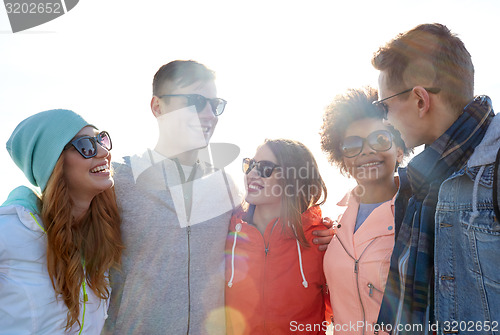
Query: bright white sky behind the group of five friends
{"x": 278, "y": 64}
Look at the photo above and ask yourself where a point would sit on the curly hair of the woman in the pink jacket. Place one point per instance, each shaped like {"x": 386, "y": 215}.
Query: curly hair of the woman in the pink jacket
{"x": 345, "y": 109}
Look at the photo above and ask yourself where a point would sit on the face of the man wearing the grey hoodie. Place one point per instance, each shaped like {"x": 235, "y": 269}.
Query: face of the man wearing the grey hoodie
{"x": 183, "y": 126}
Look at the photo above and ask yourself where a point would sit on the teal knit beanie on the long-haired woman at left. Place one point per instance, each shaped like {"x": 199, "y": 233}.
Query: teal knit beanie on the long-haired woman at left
{"x": 38, "y": 141}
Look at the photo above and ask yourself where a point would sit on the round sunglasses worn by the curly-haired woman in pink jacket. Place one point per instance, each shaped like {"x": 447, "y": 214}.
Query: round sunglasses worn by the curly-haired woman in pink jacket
{"x": 379, "y": 140}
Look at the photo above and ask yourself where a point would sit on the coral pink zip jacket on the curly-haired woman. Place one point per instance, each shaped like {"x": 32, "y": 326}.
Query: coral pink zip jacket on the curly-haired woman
{"x": 356, "y": 266}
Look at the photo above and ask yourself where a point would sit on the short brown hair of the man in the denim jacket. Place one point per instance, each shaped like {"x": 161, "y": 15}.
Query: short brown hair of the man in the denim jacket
{"x": 429, "y": 53}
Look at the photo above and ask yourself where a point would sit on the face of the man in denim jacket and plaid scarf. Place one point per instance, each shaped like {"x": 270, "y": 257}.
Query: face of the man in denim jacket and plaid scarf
{"x": 403, "y": 113}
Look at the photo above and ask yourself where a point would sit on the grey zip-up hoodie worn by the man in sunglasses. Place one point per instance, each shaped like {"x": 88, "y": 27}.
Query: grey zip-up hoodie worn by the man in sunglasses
{"x": 172, "y": 277}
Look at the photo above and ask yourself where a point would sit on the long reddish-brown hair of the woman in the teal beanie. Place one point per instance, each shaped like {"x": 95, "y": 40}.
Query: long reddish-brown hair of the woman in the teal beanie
{"x": 93, "y": 242}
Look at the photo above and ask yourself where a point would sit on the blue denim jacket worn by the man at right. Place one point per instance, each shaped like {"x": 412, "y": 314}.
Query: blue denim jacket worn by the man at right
{"x": 467, "y": 246}
